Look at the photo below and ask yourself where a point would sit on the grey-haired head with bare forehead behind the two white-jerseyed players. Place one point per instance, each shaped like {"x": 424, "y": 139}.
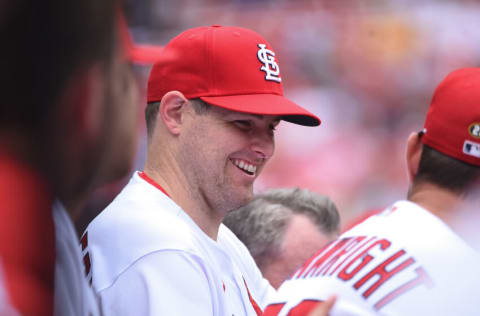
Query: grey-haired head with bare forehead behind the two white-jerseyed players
{"x": 282, "y": 228}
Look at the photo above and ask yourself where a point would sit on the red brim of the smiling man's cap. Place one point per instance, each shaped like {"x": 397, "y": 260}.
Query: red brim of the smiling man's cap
{"x": 265, "y": 104}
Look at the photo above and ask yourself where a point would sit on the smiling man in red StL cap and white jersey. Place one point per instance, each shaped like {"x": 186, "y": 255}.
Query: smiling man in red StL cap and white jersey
{"x": 214, "y": 100}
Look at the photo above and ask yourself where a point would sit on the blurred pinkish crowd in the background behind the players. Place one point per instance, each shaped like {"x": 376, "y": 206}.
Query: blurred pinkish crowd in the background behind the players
{"x": 367, "y": 68}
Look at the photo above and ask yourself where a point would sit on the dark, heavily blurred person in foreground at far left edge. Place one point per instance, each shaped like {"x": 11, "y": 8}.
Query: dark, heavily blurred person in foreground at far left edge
{"x": 67, "y": 102}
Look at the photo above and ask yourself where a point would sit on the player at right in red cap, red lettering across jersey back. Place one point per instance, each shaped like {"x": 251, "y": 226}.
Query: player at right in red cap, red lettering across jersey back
{"x": 414, "y": 258}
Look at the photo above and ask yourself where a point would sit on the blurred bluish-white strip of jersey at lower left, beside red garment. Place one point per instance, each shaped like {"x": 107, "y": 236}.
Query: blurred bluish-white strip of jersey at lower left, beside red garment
{"x": 73, "y": 296}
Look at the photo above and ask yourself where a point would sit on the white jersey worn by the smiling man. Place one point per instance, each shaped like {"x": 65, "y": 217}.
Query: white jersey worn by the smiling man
{"x": 148, "y": 257}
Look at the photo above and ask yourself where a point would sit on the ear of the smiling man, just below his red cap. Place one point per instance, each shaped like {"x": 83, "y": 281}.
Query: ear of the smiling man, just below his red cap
{"x": 172, "y": 111}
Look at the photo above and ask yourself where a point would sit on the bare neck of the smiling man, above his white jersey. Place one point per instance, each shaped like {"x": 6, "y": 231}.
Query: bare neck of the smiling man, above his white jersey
{"x": 173, "y": 180}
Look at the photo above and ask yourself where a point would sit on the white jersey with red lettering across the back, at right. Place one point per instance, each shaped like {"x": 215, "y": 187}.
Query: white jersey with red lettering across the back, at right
{"x": 403, "y": 261}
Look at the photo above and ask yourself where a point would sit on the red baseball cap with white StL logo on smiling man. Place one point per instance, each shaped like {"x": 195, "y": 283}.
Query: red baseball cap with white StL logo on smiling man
{"x": 226, "y": 66}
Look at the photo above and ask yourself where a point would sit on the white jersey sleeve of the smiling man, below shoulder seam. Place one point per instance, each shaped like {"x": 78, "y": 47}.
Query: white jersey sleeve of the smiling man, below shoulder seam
{"x": 161, "y": 283}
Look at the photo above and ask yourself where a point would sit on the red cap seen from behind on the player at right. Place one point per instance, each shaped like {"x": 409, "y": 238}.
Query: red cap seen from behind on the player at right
{"x": 452, "y": 126}
